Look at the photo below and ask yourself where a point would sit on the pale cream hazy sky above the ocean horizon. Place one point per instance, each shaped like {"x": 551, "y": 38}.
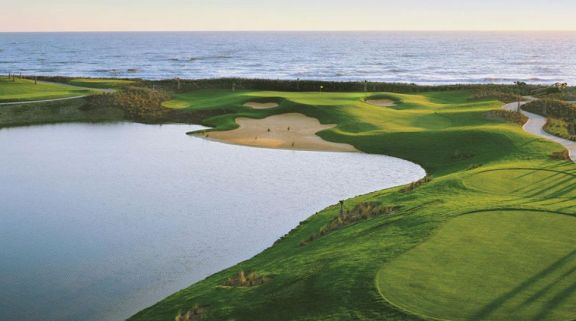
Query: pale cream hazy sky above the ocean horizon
{"x": 119, "y": 15}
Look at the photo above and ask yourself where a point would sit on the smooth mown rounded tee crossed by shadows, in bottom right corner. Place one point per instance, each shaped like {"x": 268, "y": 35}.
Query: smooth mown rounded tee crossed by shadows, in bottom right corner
{"x": 513, "y": 265}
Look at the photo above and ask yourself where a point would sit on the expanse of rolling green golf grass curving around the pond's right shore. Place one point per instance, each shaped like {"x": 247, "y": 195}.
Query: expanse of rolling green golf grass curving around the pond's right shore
{"x": 489, "y": 235}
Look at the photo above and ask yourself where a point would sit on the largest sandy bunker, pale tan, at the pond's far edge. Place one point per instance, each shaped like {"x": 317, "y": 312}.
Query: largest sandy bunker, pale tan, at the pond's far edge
{"x": 286, "y": 131}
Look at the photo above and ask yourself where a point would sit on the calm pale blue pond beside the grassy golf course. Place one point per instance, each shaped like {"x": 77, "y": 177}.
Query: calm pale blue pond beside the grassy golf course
{"x": 100, "y": 221}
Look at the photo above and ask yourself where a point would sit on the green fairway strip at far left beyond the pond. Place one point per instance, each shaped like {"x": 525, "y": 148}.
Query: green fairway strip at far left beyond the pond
{"x": 27, "y": 90}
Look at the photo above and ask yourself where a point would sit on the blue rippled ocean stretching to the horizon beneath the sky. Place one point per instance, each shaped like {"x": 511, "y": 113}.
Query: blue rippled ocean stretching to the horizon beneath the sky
{"x": 378, "y": 56}
